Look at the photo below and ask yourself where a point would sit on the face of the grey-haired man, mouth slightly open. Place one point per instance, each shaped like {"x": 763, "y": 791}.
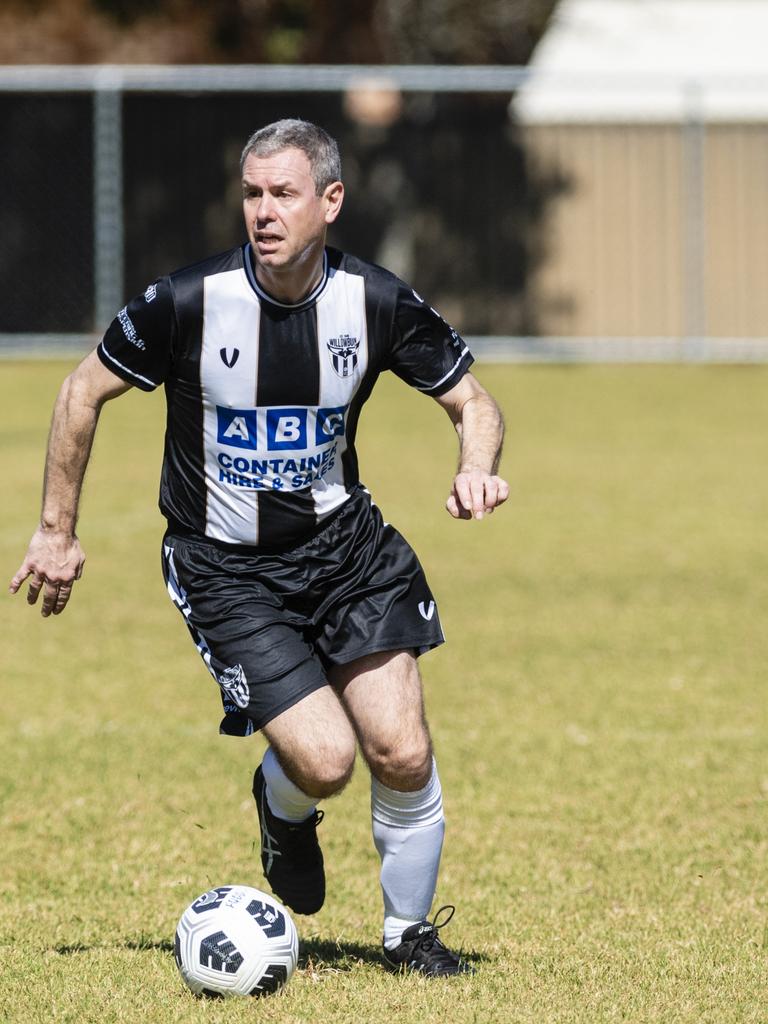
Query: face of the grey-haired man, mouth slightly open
{"x": 285, "y": 219}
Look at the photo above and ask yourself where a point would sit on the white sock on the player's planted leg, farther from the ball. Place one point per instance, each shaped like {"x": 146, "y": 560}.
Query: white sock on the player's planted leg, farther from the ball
{"x": 408, "y": 832}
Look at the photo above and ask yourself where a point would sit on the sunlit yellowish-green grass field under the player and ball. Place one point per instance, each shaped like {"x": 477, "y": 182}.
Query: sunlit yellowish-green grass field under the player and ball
{"x": 600, "y": 716}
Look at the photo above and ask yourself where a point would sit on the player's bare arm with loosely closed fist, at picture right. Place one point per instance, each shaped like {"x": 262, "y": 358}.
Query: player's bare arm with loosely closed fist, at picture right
{"x": 477, "y": 489}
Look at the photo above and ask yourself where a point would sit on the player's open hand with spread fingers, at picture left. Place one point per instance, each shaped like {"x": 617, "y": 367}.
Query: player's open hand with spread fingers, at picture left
{"x": 55, "y": 562}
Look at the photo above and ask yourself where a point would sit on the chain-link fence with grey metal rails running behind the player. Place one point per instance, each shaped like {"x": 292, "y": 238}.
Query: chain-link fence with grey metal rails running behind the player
{"x": 112, "y": 177}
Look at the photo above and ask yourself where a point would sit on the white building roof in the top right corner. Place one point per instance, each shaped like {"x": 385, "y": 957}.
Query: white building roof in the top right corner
{"x": 651, "y": 61}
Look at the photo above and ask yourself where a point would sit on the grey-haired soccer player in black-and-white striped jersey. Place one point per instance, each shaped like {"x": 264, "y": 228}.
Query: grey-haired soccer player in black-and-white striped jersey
{"x": 309, "y": 610}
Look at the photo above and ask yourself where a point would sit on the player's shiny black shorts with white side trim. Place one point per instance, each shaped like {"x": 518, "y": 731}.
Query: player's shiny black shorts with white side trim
{"x": 270, "y": 626}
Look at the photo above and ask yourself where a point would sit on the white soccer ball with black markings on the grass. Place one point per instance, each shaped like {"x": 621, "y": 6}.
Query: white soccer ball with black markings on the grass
{"x": 235, "y": 941}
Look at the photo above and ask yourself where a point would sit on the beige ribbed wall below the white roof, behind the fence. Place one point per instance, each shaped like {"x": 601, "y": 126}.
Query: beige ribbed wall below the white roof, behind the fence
{"x": 618, "y": 258}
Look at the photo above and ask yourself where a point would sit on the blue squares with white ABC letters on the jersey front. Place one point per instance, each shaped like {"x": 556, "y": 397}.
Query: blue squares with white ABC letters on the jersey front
{"x": 279, "y": 430}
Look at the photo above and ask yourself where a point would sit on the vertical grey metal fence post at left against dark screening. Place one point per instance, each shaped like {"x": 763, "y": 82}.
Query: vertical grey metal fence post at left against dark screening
{"x": 108, "y": 197}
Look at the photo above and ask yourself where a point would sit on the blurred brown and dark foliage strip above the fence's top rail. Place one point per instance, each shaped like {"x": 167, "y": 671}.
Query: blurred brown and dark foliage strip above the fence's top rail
{"x": 272, "y": 31}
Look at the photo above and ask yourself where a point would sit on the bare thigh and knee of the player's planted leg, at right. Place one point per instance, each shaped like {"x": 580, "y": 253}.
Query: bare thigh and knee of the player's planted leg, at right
{"x": 382, "y": 695}
